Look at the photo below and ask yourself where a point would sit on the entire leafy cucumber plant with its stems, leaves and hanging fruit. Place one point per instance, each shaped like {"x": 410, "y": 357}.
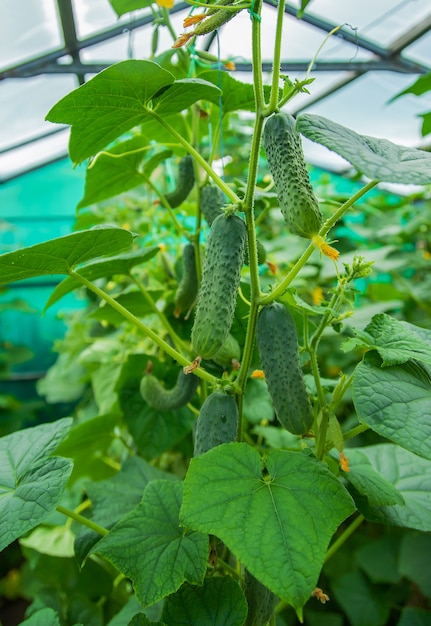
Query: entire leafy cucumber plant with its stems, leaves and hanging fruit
{"x": 290, "y": 426}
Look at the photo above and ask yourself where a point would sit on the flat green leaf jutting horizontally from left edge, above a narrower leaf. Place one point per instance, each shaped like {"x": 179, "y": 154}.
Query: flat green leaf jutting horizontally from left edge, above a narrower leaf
{"x": 61, "y": 255}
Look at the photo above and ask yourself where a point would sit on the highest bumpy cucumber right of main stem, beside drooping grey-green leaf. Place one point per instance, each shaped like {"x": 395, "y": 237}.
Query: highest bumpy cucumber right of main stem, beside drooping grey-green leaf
{"x": 283, "y": 147}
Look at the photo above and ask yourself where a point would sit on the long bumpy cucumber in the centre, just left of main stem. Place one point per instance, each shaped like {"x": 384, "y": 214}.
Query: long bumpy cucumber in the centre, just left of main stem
{"x": 219, "y": 287}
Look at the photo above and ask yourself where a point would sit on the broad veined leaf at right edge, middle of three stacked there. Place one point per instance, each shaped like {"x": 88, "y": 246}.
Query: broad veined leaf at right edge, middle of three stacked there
{"x": 395, "y": 402}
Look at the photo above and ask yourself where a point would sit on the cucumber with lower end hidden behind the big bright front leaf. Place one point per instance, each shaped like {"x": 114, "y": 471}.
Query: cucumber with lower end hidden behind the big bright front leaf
{"x": 217, "y": 422}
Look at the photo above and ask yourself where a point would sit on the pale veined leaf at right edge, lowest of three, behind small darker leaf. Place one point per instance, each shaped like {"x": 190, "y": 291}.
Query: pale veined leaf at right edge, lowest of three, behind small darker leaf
{"x": 411, "y": 475}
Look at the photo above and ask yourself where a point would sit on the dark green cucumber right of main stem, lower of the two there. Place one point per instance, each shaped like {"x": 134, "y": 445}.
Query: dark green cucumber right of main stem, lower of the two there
{"x": 277, "y": 343}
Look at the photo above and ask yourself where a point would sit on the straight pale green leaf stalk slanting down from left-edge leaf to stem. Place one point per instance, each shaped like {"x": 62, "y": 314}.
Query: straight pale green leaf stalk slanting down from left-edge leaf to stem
{"x": 177, "y": 356}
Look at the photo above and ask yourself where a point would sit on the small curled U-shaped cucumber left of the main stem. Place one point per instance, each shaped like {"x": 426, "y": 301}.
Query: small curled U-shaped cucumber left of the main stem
{"x": 162, "y": 399}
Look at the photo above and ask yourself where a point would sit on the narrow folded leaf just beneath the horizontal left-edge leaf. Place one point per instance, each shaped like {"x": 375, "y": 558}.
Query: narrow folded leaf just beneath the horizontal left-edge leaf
{"x": 112, "y": 266}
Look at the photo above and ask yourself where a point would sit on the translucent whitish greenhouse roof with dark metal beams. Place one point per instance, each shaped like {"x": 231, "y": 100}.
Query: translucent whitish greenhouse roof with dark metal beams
{"x": 53, "y": 46}
